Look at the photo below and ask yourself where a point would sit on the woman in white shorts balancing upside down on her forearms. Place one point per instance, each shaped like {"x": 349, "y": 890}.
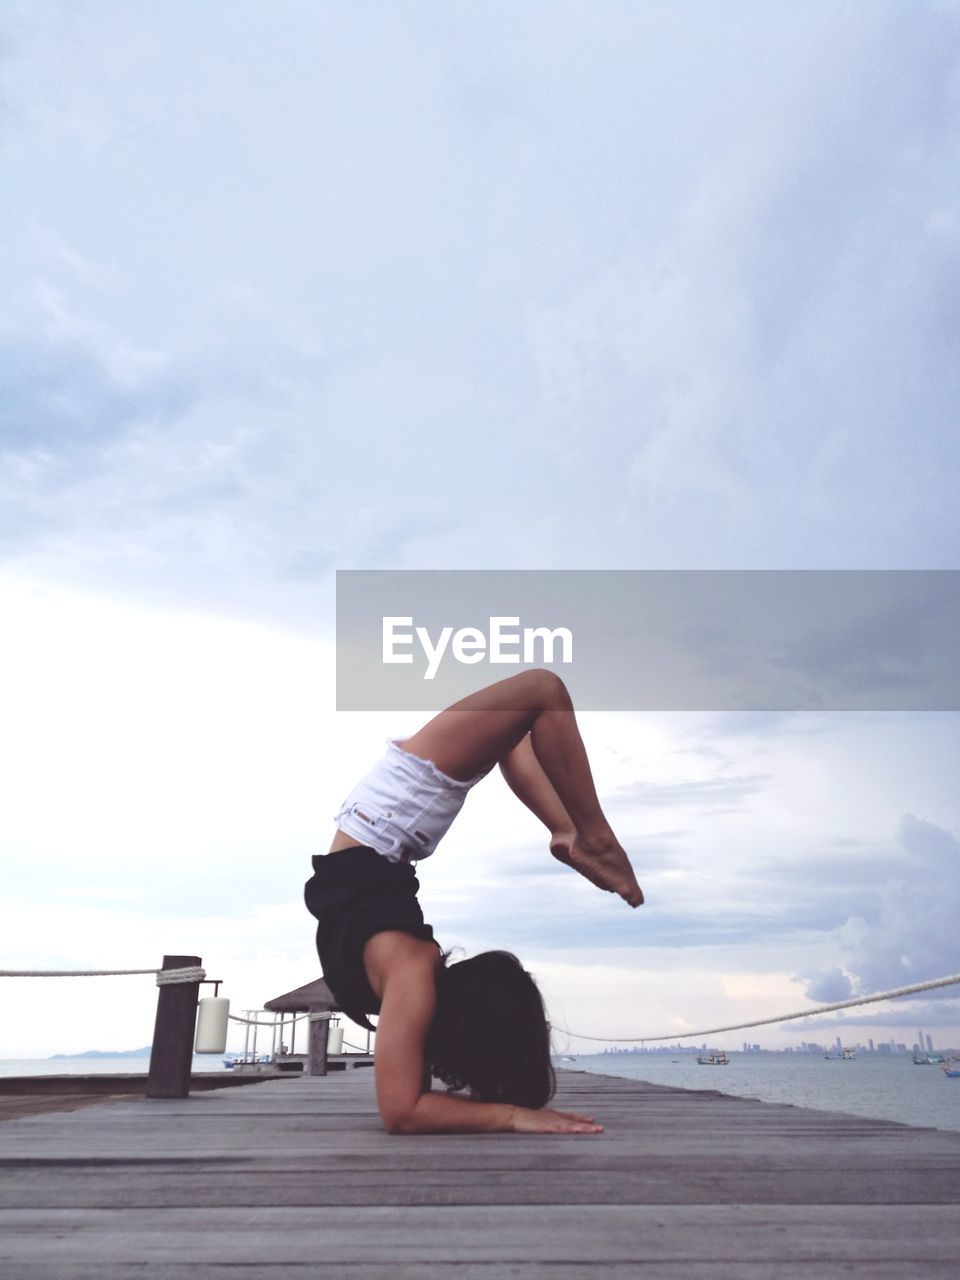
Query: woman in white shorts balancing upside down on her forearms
{"x": 479, "y": 1025}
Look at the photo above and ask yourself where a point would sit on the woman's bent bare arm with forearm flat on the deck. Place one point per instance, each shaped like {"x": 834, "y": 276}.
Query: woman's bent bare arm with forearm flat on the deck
{"x": 408, "y": 972}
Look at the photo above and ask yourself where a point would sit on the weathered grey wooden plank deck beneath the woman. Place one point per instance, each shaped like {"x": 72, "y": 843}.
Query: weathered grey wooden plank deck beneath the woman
{"x": 296, "y": 1178}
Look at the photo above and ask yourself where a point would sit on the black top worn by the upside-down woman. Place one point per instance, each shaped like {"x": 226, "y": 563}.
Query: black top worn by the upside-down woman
{"x": 355, "y": 894}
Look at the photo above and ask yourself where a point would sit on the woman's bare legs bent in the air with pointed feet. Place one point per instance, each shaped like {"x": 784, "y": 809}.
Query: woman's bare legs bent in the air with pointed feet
{"x": 486, "y": 729}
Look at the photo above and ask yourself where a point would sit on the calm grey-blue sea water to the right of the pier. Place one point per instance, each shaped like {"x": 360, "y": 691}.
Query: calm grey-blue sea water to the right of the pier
{"x": 886, "y": 1089}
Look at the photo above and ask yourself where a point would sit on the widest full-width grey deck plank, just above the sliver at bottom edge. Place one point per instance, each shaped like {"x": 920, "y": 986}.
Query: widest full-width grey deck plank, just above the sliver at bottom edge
{"x": 598, "y": 1235}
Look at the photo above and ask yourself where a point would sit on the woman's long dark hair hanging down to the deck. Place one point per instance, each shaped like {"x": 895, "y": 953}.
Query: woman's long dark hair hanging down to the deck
{"x": 491, "y": 1032}
